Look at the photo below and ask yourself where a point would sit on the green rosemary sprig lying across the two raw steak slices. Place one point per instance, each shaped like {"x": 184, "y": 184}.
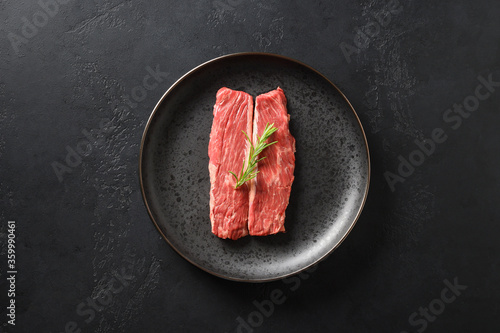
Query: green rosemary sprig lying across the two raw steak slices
{"x": 249, "y": 171}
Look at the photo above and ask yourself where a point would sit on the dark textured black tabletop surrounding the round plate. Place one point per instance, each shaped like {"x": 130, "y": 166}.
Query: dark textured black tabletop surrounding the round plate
{"x": 76, "y": 235}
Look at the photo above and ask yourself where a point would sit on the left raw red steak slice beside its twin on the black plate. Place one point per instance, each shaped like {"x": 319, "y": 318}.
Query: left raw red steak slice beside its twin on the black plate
{"x": 233, "y": 112}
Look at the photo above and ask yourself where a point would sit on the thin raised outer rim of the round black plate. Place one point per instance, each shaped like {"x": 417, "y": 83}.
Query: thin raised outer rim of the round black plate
{"x": 186, "y": 76}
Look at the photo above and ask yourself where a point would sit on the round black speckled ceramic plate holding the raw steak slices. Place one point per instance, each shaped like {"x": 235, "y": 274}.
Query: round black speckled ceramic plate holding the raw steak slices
{"x": 331, "y": 175}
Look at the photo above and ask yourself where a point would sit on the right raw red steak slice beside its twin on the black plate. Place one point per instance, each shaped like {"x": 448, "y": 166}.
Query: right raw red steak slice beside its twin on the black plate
{"x": 270, "y": 190}
